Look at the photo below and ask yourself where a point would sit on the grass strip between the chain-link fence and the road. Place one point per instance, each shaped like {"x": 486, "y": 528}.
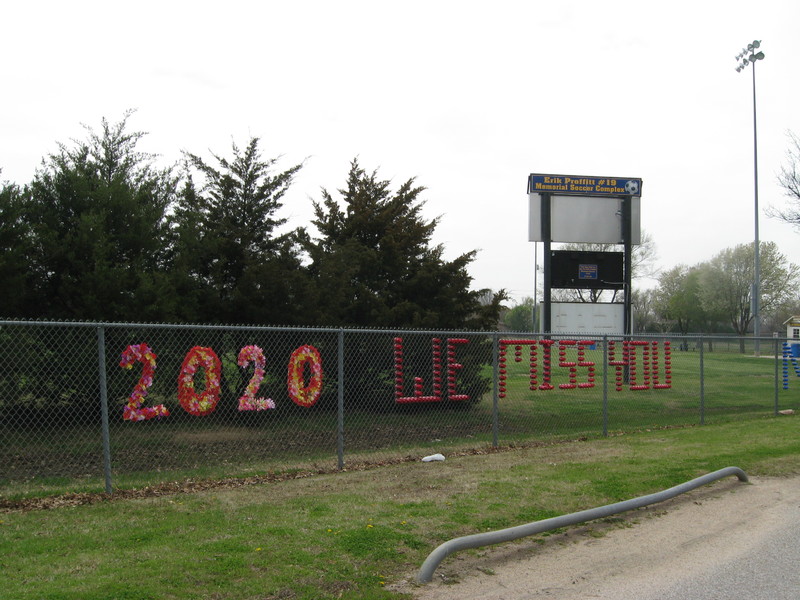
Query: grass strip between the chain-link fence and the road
{"x": 353, "y": 534}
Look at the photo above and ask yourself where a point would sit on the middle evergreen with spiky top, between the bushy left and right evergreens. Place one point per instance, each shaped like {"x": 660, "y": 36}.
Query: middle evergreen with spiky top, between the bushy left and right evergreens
{"x": 232, "y": 261}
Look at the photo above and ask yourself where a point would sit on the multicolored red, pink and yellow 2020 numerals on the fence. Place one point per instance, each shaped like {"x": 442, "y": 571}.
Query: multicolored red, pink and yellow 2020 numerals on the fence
{"x": 204, "y": 402}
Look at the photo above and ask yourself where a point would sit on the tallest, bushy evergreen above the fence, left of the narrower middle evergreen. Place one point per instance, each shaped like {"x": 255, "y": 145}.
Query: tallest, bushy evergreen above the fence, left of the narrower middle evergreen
{"x": 98, "y": 219}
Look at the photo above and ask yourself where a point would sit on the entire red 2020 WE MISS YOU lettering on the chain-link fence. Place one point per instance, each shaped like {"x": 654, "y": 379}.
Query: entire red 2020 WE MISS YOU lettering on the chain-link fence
{"x": 623, "y": 356}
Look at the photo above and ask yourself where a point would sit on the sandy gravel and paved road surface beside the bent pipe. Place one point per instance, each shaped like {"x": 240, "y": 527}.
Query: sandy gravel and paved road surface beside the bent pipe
{"x": 726, "y": 541}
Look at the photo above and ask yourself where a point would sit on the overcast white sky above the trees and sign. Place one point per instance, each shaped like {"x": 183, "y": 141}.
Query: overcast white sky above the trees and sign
{"x": 468, "y": 97}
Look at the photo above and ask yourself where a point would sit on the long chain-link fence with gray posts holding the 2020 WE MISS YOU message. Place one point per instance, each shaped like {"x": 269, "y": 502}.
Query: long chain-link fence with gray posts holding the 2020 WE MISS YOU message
{"x": 90, "y": 406}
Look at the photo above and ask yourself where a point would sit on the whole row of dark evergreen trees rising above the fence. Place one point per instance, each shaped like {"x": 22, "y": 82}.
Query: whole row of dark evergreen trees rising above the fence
{"x": 103, "y": 234}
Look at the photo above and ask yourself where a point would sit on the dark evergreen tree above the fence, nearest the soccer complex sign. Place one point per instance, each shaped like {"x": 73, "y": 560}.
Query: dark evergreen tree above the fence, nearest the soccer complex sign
{"x": 374, "y": 264}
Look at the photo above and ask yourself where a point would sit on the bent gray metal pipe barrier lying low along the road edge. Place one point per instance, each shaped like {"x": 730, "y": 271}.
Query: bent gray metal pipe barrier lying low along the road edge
{"x": 514, "y": 533}
